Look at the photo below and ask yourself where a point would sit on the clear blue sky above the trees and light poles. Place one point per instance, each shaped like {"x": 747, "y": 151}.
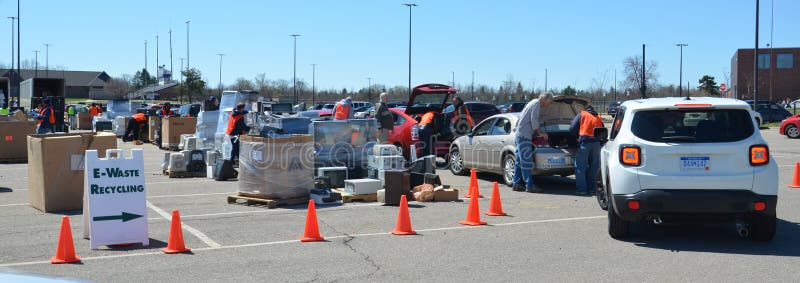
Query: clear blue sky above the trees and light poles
{"x": 350, "y": 40}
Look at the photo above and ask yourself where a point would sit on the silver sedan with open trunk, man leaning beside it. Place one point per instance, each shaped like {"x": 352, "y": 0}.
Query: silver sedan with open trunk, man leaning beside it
{"x": 490, "y": 146}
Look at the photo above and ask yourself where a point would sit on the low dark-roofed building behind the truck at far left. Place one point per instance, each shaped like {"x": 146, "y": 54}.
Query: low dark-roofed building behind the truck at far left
{"x": 79, "y": 84}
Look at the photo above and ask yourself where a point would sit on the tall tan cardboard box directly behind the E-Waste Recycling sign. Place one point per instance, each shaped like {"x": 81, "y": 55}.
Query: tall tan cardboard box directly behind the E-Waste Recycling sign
{"x": 55, "y": 168}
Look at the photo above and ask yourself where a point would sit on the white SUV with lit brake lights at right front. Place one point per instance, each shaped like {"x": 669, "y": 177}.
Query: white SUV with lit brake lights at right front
{"x": 678, "y": 160}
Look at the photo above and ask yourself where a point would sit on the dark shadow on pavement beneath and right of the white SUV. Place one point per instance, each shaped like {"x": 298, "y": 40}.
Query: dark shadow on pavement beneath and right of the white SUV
{"x": 715, "y": 238}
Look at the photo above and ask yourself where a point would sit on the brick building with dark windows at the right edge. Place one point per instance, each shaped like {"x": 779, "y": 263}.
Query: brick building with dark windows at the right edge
{"x": 778, "y": 74}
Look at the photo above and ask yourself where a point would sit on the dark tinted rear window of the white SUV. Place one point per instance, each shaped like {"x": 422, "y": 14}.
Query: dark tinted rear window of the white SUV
{"x": 694, "y": 125}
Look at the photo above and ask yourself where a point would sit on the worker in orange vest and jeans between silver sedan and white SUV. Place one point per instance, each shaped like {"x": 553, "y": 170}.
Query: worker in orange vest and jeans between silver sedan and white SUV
{"x": 587, "y": 160}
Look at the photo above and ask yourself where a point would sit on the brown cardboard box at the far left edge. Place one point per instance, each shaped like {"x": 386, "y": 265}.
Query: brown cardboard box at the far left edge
{"x": 13, "y": 139}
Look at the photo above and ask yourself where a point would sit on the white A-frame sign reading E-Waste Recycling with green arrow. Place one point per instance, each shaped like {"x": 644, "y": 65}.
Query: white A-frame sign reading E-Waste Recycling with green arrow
{"x": 114, "y": 204}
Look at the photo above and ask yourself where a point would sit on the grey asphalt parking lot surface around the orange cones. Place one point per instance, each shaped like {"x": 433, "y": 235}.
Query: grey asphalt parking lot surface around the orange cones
{"x": 555, "y": 236}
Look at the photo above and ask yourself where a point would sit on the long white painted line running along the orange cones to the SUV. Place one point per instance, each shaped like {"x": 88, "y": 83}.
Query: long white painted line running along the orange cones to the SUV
{"x": 297, "y": 241}
